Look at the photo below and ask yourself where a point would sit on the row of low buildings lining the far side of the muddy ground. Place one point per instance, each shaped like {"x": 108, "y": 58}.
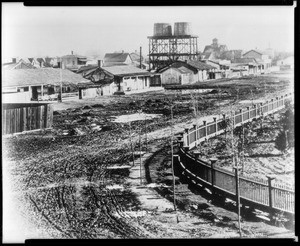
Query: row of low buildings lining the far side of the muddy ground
{"x": 28, "y": 79}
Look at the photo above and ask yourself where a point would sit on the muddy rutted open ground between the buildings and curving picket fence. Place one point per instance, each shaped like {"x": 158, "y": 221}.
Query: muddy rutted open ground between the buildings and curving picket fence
{"x": 81, "y": 179}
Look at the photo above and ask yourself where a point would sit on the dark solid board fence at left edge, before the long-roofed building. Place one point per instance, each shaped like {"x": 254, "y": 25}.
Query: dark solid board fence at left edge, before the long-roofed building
{"x": 20, "y": 117}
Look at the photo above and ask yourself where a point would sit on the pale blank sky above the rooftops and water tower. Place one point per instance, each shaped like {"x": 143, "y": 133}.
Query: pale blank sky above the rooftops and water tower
{"x": 52, "y": 31}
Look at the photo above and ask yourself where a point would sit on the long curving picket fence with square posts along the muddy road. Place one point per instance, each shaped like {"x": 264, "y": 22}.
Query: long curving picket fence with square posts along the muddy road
{"x": 260, "y": 194}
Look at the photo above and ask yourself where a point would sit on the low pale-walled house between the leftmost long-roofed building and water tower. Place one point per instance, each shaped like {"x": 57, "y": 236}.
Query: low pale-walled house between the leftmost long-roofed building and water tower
{"x": 116, "y": 78}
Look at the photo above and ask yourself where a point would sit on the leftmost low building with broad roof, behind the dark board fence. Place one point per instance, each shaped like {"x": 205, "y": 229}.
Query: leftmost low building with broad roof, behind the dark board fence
{"x": 25, "y": 85}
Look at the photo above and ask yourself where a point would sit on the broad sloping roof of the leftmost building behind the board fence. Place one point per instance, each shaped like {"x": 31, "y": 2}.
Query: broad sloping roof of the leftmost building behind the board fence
{"x": 42, "y": 76}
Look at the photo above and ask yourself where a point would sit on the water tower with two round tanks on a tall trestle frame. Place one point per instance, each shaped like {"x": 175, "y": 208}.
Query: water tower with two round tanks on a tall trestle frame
{"x": 165, "y": 48}
